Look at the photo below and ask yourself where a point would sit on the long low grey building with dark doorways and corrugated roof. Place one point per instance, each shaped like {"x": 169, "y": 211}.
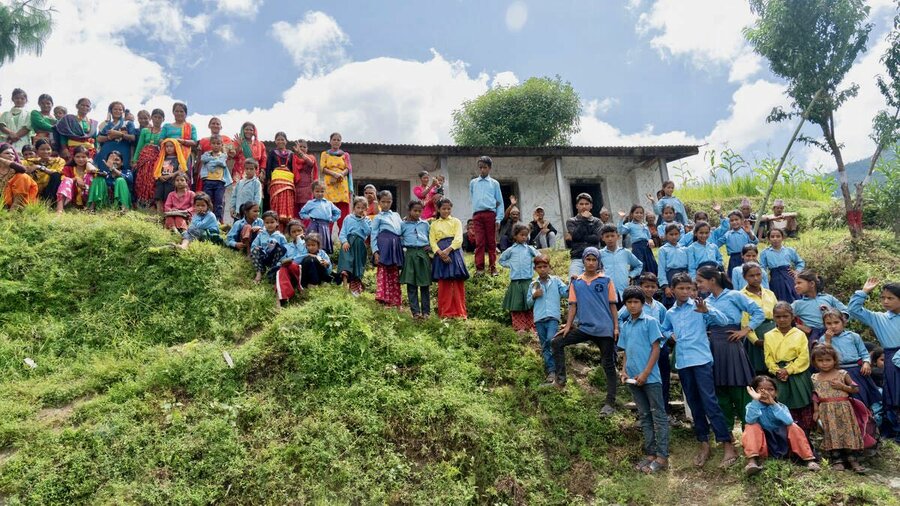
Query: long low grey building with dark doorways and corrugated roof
{"x": 551, "y": 177}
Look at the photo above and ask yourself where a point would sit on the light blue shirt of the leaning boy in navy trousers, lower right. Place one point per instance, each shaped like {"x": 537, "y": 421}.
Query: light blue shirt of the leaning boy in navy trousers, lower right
{"x": 689, "y": 327}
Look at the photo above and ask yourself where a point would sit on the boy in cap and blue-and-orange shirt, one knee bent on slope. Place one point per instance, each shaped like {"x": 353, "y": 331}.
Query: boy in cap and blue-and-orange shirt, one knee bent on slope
{"x": 593, "y": 297}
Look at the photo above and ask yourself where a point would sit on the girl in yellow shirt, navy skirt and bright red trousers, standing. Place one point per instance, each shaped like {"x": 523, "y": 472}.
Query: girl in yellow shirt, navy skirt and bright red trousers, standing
{"x": 448, "y": 266}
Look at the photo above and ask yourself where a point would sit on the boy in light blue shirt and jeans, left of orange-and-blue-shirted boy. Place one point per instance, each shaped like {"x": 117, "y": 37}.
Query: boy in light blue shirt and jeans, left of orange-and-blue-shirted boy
{"x": 544, "y": 296}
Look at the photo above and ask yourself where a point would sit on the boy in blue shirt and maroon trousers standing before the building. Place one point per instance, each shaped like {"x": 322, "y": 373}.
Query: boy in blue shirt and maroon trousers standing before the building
{"x": 487, "y": 209}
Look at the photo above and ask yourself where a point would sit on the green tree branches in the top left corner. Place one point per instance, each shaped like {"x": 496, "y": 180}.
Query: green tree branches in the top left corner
{"x": 24, "y": 27}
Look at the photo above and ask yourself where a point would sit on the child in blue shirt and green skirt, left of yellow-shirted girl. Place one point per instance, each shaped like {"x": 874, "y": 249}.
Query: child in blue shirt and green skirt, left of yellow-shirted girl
{"x": 416, "y": 272}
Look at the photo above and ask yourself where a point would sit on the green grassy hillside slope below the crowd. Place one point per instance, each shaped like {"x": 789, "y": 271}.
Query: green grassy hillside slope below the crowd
{"x": 333, "y": 400}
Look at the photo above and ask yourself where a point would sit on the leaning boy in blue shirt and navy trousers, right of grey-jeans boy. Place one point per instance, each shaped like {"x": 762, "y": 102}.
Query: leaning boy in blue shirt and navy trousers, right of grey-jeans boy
{"x": 687, "y": 323}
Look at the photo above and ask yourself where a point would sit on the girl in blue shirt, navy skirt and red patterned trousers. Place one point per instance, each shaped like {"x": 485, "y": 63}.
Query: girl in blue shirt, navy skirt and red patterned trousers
{"x": 387, "y": 249}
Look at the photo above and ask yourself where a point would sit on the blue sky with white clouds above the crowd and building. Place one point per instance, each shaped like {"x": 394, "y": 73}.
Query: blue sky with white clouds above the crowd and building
{"x": 649, "y": 72}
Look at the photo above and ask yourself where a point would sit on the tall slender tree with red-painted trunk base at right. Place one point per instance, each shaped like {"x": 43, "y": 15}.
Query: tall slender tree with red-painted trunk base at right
{"x": 812, "y": 44}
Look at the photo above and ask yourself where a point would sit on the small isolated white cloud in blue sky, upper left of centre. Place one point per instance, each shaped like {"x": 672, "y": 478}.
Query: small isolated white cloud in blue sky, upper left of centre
{"x": 316, "y": 43}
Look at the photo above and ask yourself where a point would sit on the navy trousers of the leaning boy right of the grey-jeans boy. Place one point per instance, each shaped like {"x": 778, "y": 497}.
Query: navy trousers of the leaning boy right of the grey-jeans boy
{"x": 700, "y": 391}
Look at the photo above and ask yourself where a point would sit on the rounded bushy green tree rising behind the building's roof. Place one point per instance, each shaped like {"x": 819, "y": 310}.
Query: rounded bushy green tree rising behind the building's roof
{"x": 539, "y": 112}
